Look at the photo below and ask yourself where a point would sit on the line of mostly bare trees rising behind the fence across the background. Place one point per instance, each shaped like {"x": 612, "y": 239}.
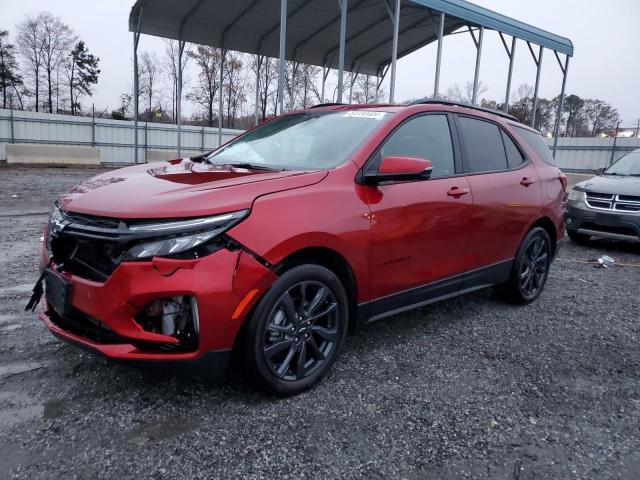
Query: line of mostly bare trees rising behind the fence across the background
{"x": 50, "y": 69}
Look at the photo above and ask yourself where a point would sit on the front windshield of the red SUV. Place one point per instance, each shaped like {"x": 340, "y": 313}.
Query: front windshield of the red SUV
{"x": 301, "y": 141}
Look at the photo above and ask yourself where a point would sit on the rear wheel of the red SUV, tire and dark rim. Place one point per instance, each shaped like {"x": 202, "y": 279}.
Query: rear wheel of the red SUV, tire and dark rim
{"x": 530, "y": 268}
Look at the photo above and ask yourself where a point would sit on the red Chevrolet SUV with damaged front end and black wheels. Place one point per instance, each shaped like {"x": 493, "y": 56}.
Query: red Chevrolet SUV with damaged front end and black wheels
{"x": 309, "y": 225}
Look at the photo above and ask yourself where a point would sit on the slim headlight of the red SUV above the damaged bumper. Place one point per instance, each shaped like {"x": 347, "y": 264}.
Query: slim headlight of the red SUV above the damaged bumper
{"x": 176, "y": 237}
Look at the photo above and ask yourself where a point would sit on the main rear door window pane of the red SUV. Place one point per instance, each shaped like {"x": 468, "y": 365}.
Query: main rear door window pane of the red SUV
{"x": 484, "y": 149}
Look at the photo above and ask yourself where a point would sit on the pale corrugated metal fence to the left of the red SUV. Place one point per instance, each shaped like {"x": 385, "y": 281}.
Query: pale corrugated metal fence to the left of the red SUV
{"x": 113, "y": 139}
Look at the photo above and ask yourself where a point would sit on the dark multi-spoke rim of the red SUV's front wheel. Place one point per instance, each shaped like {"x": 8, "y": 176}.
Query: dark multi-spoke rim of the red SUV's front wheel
{"x": 301, "y": 330}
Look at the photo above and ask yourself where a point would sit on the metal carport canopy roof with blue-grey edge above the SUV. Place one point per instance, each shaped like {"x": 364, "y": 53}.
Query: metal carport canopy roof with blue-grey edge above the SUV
{"x": 313, "y": 27}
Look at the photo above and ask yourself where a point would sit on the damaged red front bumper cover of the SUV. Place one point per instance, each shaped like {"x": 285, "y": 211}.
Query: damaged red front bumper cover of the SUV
{"x": 226, "y": 284}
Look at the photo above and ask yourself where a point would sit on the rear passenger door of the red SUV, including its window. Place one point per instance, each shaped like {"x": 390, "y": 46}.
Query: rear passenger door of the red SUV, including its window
{"x": 506, "y": 193}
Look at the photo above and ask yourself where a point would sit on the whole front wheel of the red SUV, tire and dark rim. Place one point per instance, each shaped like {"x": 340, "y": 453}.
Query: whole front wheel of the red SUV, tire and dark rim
{"x": 297, "y": 329}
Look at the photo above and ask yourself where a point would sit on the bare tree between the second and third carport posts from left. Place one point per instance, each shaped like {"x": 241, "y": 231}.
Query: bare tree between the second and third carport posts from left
{"x": 204, "y": 93}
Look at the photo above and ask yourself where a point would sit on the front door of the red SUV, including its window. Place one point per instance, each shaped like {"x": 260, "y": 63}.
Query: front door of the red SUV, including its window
{"x": 418, "y": 229}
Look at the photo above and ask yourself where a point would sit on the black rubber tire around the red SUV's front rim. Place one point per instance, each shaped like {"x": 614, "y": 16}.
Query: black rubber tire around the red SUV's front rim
{"x": 254, "y": 355}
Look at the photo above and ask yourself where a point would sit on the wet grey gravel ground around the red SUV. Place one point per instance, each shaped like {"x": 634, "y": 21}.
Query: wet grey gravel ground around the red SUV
{"x": 468, "y": 388}
